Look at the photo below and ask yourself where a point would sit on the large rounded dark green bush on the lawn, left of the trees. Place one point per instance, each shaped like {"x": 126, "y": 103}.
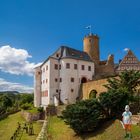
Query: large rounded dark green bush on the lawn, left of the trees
{"x": 83, "y": 116}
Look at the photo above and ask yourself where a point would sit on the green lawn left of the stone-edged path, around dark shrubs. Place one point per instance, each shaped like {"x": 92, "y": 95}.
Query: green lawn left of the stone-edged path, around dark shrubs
{"x": 9, "y": 125}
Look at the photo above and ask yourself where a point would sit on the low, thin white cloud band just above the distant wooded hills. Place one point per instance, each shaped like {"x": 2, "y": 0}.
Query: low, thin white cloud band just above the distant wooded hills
{"x": 9, "y": 86}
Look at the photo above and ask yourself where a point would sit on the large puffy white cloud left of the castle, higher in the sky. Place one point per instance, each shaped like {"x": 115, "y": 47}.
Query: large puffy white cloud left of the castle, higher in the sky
{"x": 14, "y": 61}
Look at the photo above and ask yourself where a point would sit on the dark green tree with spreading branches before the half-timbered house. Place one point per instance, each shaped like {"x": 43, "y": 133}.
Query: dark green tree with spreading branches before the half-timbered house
{"x": 120, "y": 91}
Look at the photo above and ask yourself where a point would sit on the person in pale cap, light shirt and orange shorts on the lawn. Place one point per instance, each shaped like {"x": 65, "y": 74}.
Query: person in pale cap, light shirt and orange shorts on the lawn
{"x": 127, "y": 121}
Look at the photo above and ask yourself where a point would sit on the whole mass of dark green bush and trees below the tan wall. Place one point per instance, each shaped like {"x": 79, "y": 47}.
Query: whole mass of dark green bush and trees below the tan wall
{"x": 85, "y": 115}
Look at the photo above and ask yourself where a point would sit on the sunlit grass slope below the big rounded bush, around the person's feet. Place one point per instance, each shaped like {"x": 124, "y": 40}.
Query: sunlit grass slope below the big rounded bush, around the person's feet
{"x": 112, "y": 130}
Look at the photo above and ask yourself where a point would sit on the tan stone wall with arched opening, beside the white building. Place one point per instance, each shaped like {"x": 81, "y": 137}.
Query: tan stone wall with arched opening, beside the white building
{"x": 93, "y": 85}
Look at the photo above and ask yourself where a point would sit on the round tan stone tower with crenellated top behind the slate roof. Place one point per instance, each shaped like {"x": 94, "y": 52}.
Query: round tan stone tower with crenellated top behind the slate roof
{"x": 91, "y": 47}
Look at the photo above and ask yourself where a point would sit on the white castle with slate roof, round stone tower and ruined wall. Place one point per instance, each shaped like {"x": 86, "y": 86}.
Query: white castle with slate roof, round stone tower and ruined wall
{"x": 59, "y": 78}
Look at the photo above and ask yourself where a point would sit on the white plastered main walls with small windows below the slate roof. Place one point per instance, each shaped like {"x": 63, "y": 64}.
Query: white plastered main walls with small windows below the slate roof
{"x": 66, "y": 86}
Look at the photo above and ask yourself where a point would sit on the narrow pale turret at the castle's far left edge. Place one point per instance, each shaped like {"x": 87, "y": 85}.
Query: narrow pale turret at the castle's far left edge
{"x": 37, "y": 87}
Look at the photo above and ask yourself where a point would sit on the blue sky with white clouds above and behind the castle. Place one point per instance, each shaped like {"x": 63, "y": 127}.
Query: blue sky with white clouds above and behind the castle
{"x": 36, "y": 28}
